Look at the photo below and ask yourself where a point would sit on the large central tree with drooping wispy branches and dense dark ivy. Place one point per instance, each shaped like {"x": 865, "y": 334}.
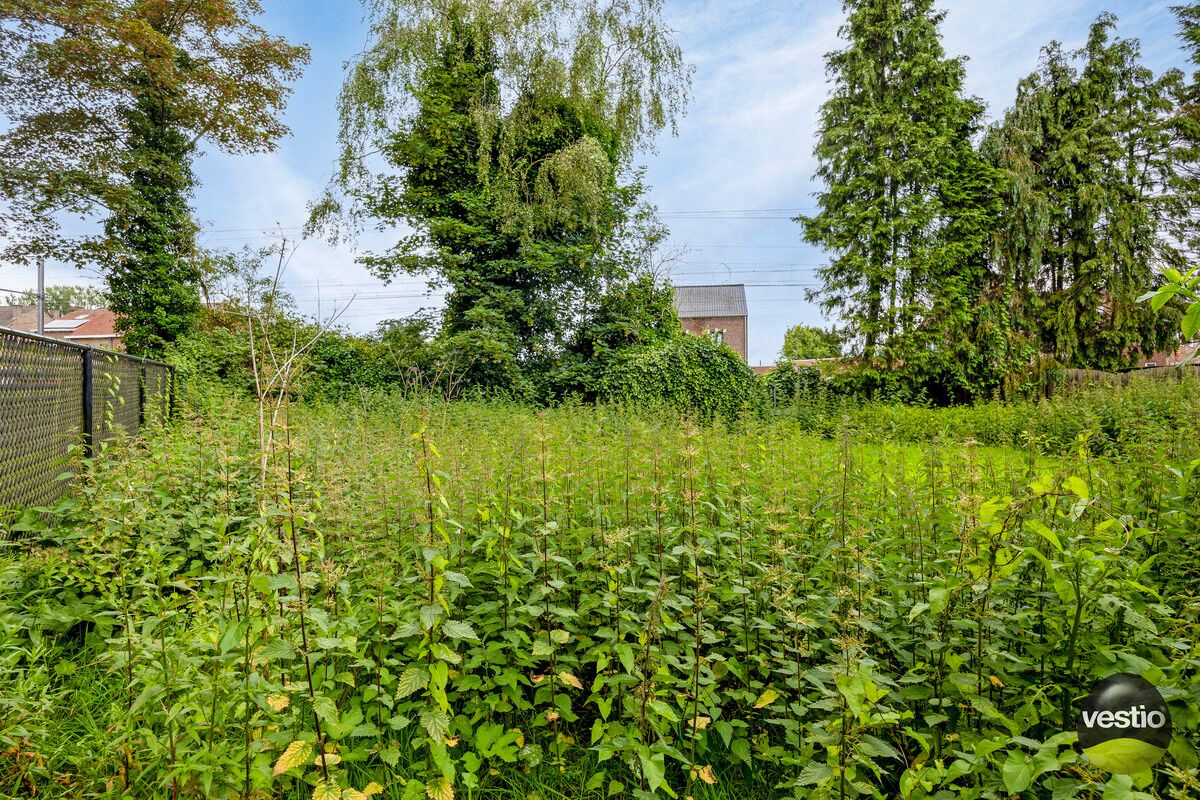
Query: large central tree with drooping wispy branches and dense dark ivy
{"x": 503, "y": 136}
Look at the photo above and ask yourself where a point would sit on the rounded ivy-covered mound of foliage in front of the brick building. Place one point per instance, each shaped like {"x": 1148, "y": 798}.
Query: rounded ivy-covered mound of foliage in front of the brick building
{"x": 692, "y": 374}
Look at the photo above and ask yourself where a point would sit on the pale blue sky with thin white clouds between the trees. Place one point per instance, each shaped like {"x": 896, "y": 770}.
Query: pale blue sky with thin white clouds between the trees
{"x": 746, "y": 145}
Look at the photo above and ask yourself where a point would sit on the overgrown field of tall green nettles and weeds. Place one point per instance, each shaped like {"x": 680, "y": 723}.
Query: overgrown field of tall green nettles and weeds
{"x": 410, "y": 599}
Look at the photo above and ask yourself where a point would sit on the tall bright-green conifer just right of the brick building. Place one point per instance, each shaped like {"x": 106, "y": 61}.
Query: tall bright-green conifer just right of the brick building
{"x": 907, "y": 206}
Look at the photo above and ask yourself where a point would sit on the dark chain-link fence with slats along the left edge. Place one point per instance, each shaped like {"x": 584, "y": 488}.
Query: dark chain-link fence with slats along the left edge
{"x": 55, "y": 395}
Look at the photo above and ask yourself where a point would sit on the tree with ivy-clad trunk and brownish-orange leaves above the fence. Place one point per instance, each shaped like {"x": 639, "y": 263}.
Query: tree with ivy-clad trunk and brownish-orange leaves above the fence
{"x": 107, "y": 104}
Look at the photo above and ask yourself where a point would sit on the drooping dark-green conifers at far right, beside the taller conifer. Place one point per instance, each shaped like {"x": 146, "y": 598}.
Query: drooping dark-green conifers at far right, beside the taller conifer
{"x": 1095, "y": 204}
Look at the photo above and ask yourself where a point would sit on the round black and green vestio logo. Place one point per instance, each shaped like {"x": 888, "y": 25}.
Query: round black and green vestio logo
{"x": 1125, "y": 726}
